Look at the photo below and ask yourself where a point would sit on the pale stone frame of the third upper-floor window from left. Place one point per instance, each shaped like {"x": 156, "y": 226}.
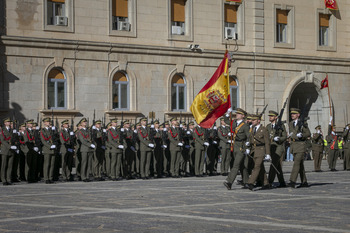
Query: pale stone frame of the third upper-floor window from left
{"x": 188, "y": 33}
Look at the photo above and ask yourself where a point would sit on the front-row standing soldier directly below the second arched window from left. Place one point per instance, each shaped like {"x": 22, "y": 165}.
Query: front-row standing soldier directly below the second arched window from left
{"x": 117, "y": 150}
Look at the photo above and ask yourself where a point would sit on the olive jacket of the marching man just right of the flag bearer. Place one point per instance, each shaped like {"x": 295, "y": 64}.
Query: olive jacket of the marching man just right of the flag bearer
{"x": 260, "y": 141}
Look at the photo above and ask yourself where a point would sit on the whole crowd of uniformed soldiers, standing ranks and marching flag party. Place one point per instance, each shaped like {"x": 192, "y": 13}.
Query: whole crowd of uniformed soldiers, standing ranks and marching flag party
{"x": 121, "y": 150}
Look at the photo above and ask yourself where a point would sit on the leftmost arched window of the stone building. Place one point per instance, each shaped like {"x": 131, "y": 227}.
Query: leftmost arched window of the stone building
{"x": 57, "y": 89}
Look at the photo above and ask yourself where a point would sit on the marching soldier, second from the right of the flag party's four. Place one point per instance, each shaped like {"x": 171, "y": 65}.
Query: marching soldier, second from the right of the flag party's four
{"x": 277, "y": 137}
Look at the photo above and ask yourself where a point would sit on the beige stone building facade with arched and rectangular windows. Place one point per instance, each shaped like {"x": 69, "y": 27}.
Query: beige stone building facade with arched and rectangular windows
{"x": 132, "y": 57}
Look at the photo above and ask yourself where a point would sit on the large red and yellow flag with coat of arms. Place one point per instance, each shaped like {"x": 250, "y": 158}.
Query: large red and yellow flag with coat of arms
{"x": 214, "y": 98}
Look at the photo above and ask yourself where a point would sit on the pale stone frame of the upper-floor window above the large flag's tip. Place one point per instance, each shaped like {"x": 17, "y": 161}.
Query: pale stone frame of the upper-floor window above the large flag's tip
{"x": 240, "y": 26}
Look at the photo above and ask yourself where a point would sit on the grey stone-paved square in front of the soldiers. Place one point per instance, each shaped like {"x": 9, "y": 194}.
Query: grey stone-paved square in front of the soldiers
{"x": 179, "y": 205}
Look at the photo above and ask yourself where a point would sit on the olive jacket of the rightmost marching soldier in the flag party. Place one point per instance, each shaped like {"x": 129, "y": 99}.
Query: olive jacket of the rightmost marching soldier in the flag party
{"x": 298, "y": 145}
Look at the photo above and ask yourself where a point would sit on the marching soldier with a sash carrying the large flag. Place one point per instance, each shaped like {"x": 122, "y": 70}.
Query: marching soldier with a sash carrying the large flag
{"x": 241, "y": 134}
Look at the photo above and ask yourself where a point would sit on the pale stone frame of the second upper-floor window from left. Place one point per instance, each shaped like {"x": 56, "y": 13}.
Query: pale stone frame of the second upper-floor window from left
{"x": 131, "y": 19}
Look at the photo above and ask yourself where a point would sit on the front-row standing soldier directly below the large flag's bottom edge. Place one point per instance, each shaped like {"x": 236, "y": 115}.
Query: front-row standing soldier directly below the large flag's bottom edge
{"x": 201, "y": 145}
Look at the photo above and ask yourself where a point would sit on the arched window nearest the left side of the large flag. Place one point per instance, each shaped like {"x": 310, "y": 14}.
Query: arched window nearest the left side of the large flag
{"x": 178, "y": 93}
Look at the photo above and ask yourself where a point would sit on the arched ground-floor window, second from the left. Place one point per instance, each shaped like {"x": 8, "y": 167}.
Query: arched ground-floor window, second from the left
{"x": 120, "y": 91}
